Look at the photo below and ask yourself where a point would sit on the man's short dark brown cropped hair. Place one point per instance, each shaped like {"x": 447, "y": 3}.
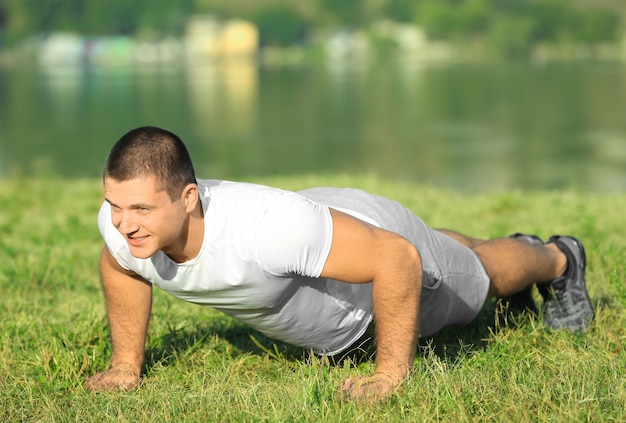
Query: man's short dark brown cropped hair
{"x": 151, "y": 151}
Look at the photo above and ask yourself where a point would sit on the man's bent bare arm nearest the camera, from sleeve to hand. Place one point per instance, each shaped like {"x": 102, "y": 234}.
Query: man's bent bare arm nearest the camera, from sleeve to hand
{"x": 361, "y": 253}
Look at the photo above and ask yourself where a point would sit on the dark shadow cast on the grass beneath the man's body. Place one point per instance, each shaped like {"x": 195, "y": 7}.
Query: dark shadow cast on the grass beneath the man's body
{"x": 236, "y": 339}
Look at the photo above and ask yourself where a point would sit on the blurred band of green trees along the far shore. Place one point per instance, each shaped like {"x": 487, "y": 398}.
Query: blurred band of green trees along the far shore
{"x": 509, "y": 27}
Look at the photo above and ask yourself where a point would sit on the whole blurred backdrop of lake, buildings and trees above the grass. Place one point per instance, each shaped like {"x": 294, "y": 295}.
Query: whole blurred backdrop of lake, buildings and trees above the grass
{"x": 475, "y": 95}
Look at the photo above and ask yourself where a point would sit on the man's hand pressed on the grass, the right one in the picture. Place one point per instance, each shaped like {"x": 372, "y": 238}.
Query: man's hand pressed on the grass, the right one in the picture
{"x": 369, "y": 389}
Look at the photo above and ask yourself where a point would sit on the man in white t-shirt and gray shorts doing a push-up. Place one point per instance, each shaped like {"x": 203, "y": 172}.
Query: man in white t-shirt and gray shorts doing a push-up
{"x": 314, "y": 268}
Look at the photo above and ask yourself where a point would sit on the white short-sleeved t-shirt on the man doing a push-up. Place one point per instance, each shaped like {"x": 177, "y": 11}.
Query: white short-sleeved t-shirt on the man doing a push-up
{"x": 263, "y": 252}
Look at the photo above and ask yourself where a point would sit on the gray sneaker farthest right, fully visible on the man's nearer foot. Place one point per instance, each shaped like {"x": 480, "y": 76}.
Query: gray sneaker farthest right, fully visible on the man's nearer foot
{"x": 566, "y": 301}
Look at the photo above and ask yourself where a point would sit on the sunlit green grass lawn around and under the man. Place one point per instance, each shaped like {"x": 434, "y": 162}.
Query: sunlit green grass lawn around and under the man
{"x": 203, "y": 366}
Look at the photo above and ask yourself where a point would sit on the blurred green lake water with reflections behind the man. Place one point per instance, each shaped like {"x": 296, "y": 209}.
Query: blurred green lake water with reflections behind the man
{"x": 474, "y": 127}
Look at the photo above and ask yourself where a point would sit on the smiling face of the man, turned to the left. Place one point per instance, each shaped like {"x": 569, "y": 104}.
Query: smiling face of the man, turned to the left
{"x": 146, "y": 217}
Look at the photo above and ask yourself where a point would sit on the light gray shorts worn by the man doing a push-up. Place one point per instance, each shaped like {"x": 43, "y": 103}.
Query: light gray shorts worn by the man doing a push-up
{"x": 454, "y": 281}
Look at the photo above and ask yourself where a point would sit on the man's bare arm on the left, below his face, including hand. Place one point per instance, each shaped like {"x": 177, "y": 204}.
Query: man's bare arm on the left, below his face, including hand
{"x": 128, "y": 302}
